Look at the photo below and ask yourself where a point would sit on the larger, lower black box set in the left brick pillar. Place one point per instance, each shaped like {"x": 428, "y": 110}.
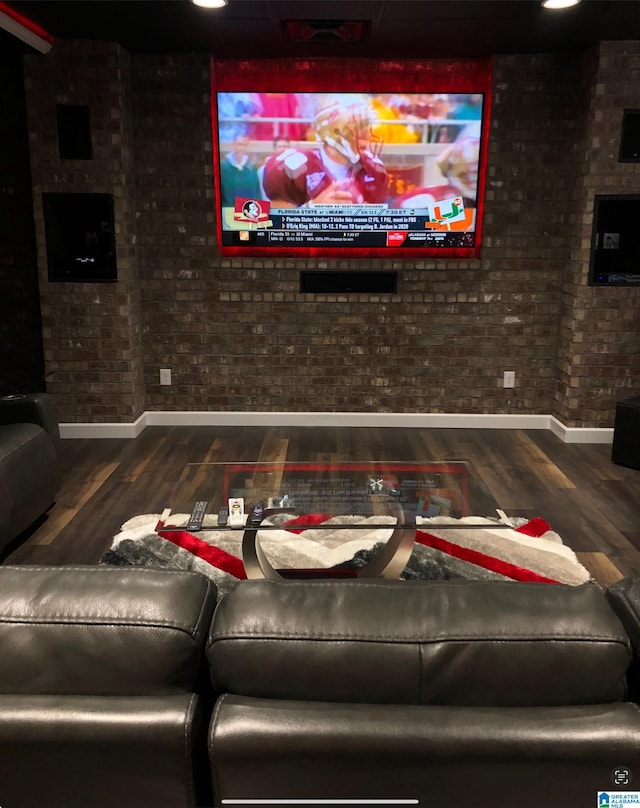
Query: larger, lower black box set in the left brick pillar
{"x": 79, "y": 231}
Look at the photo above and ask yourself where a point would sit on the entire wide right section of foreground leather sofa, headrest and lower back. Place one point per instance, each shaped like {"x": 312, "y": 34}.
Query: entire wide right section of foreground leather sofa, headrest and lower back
{"x": 456, "y": 694}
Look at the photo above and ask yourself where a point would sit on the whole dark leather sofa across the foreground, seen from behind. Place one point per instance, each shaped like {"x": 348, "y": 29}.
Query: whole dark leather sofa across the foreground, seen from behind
{"x": 122, "y": 686}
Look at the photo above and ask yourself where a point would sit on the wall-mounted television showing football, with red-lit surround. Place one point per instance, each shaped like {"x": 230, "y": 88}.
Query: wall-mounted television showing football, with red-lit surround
{"x": 304, "y": 169}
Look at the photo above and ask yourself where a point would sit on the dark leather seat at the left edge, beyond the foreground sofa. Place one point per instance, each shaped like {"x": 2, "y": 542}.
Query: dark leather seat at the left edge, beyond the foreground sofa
{"x": 29, "y": 467}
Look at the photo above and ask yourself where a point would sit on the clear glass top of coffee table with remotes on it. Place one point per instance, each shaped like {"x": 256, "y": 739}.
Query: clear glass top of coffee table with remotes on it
{"x": 404, "y": 490}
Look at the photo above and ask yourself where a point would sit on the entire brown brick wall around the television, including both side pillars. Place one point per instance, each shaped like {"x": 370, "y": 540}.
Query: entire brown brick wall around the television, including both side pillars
{"x": 238, "y": 335}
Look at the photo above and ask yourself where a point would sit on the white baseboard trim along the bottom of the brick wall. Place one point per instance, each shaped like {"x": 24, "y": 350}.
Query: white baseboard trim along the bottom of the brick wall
{"x": 338, "y": 419}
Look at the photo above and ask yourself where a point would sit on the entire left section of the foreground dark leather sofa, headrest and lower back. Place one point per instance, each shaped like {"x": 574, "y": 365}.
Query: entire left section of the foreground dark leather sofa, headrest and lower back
{"x": 104, "y": 689}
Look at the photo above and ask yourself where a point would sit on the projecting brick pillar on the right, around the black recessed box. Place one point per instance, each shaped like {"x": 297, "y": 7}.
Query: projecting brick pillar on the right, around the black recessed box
{"x": 599, "y": 360}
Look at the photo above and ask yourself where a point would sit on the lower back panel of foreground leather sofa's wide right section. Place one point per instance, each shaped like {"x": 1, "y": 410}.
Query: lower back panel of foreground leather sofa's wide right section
{"x": 440, "y": 757}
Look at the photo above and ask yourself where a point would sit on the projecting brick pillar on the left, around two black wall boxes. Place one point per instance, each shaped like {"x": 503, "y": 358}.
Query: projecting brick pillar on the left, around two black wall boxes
{"x": 92, "y": 332}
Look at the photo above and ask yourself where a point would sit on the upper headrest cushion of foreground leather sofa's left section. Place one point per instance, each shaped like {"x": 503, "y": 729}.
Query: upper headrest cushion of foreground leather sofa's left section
{"x": 102, "y": 630}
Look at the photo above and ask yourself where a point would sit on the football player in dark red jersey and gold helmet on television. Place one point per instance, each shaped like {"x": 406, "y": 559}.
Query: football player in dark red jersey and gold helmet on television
{"x": 344, "y": 168}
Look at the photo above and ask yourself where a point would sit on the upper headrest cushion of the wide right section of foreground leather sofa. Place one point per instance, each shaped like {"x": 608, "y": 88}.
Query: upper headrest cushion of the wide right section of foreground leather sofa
{"x": 419, "y": 642}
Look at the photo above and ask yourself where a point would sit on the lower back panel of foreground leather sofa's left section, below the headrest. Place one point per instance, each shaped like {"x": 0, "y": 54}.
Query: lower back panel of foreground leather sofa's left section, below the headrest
{"x": 147, "y": 751}
